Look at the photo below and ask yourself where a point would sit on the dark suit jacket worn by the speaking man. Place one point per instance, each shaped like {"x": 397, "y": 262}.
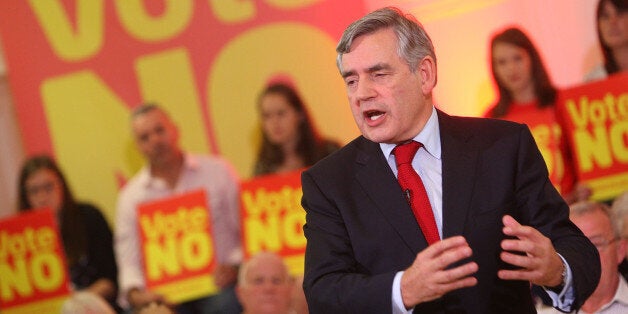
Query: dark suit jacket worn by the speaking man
{"x": 360, "y": 230}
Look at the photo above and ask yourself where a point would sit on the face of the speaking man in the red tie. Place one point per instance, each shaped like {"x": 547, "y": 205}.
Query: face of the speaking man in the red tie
{"x": 389, "y": 102}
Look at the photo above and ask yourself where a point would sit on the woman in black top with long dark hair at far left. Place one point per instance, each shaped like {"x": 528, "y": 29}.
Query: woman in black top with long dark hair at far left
{"x": 85, "y": 234}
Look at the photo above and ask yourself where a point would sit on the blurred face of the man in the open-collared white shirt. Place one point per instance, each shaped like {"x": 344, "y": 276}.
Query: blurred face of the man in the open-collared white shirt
{"x": 156, "y": 136}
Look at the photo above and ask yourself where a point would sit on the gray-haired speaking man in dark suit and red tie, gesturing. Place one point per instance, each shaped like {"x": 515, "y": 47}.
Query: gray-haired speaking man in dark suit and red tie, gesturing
{"x": 503, "y": 226}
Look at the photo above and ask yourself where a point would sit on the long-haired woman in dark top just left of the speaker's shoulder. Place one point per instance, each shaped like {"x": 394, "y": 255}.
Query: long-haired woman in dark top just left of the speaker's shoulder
{"x": 289, "y": 139}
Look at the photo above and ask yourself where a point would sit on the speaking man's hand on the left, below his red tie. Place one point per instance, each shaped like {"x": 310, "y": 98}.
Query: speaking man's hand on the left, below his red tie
{"x": 428, "y": 279}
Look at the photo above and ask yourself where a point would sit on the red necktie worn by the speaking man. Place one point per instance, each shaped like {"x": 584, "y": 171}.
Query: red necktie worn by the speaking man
{"x": 414, "y": 190}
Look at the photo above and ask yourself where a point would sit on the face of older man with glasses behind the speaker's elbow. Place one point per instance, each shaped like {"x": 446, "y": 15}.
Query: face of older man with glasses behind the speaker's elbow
{"x": 597, "y": 227}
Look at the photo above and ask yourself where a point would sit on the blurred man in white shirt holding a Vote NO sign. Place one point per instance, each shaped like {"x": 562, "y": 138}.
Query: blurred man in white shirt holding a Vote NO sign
{"x": 170, "y": 171}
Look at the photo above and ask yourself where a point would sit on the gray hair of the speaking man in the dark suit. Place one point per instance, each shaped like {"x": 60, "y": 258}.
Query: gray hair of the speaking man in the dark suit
{"x": 414, "y": 43}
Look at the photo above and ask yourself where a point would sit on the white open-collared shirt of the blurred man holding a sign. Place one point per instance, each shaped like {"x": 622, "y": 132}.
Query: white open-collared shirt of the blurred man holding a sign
{"x": 215, "y": 176}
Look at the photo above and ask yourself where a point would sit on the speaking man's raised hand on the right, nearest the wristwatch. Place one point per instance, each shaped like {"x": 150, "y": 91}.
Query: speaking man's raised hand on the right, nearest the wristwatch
{"x": 540, "y": 263}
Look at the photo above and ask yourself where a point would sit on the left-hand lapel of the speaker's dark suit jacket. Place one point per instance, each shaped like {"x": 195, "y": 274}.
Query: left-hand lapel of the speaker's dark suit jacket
{"x": 378, "y": 181}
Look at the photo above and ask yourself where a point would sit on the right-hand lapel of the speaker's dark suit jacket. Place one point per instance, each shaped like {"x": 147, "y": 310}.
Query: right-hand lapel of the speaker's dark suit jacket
{"x": 459, "y": 161}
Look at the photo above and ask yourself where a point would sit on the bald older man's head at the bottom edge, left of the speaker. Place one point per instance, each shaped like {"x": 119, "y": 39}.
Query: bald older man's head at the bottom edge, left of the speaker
{"x": 264, "y": 285}
